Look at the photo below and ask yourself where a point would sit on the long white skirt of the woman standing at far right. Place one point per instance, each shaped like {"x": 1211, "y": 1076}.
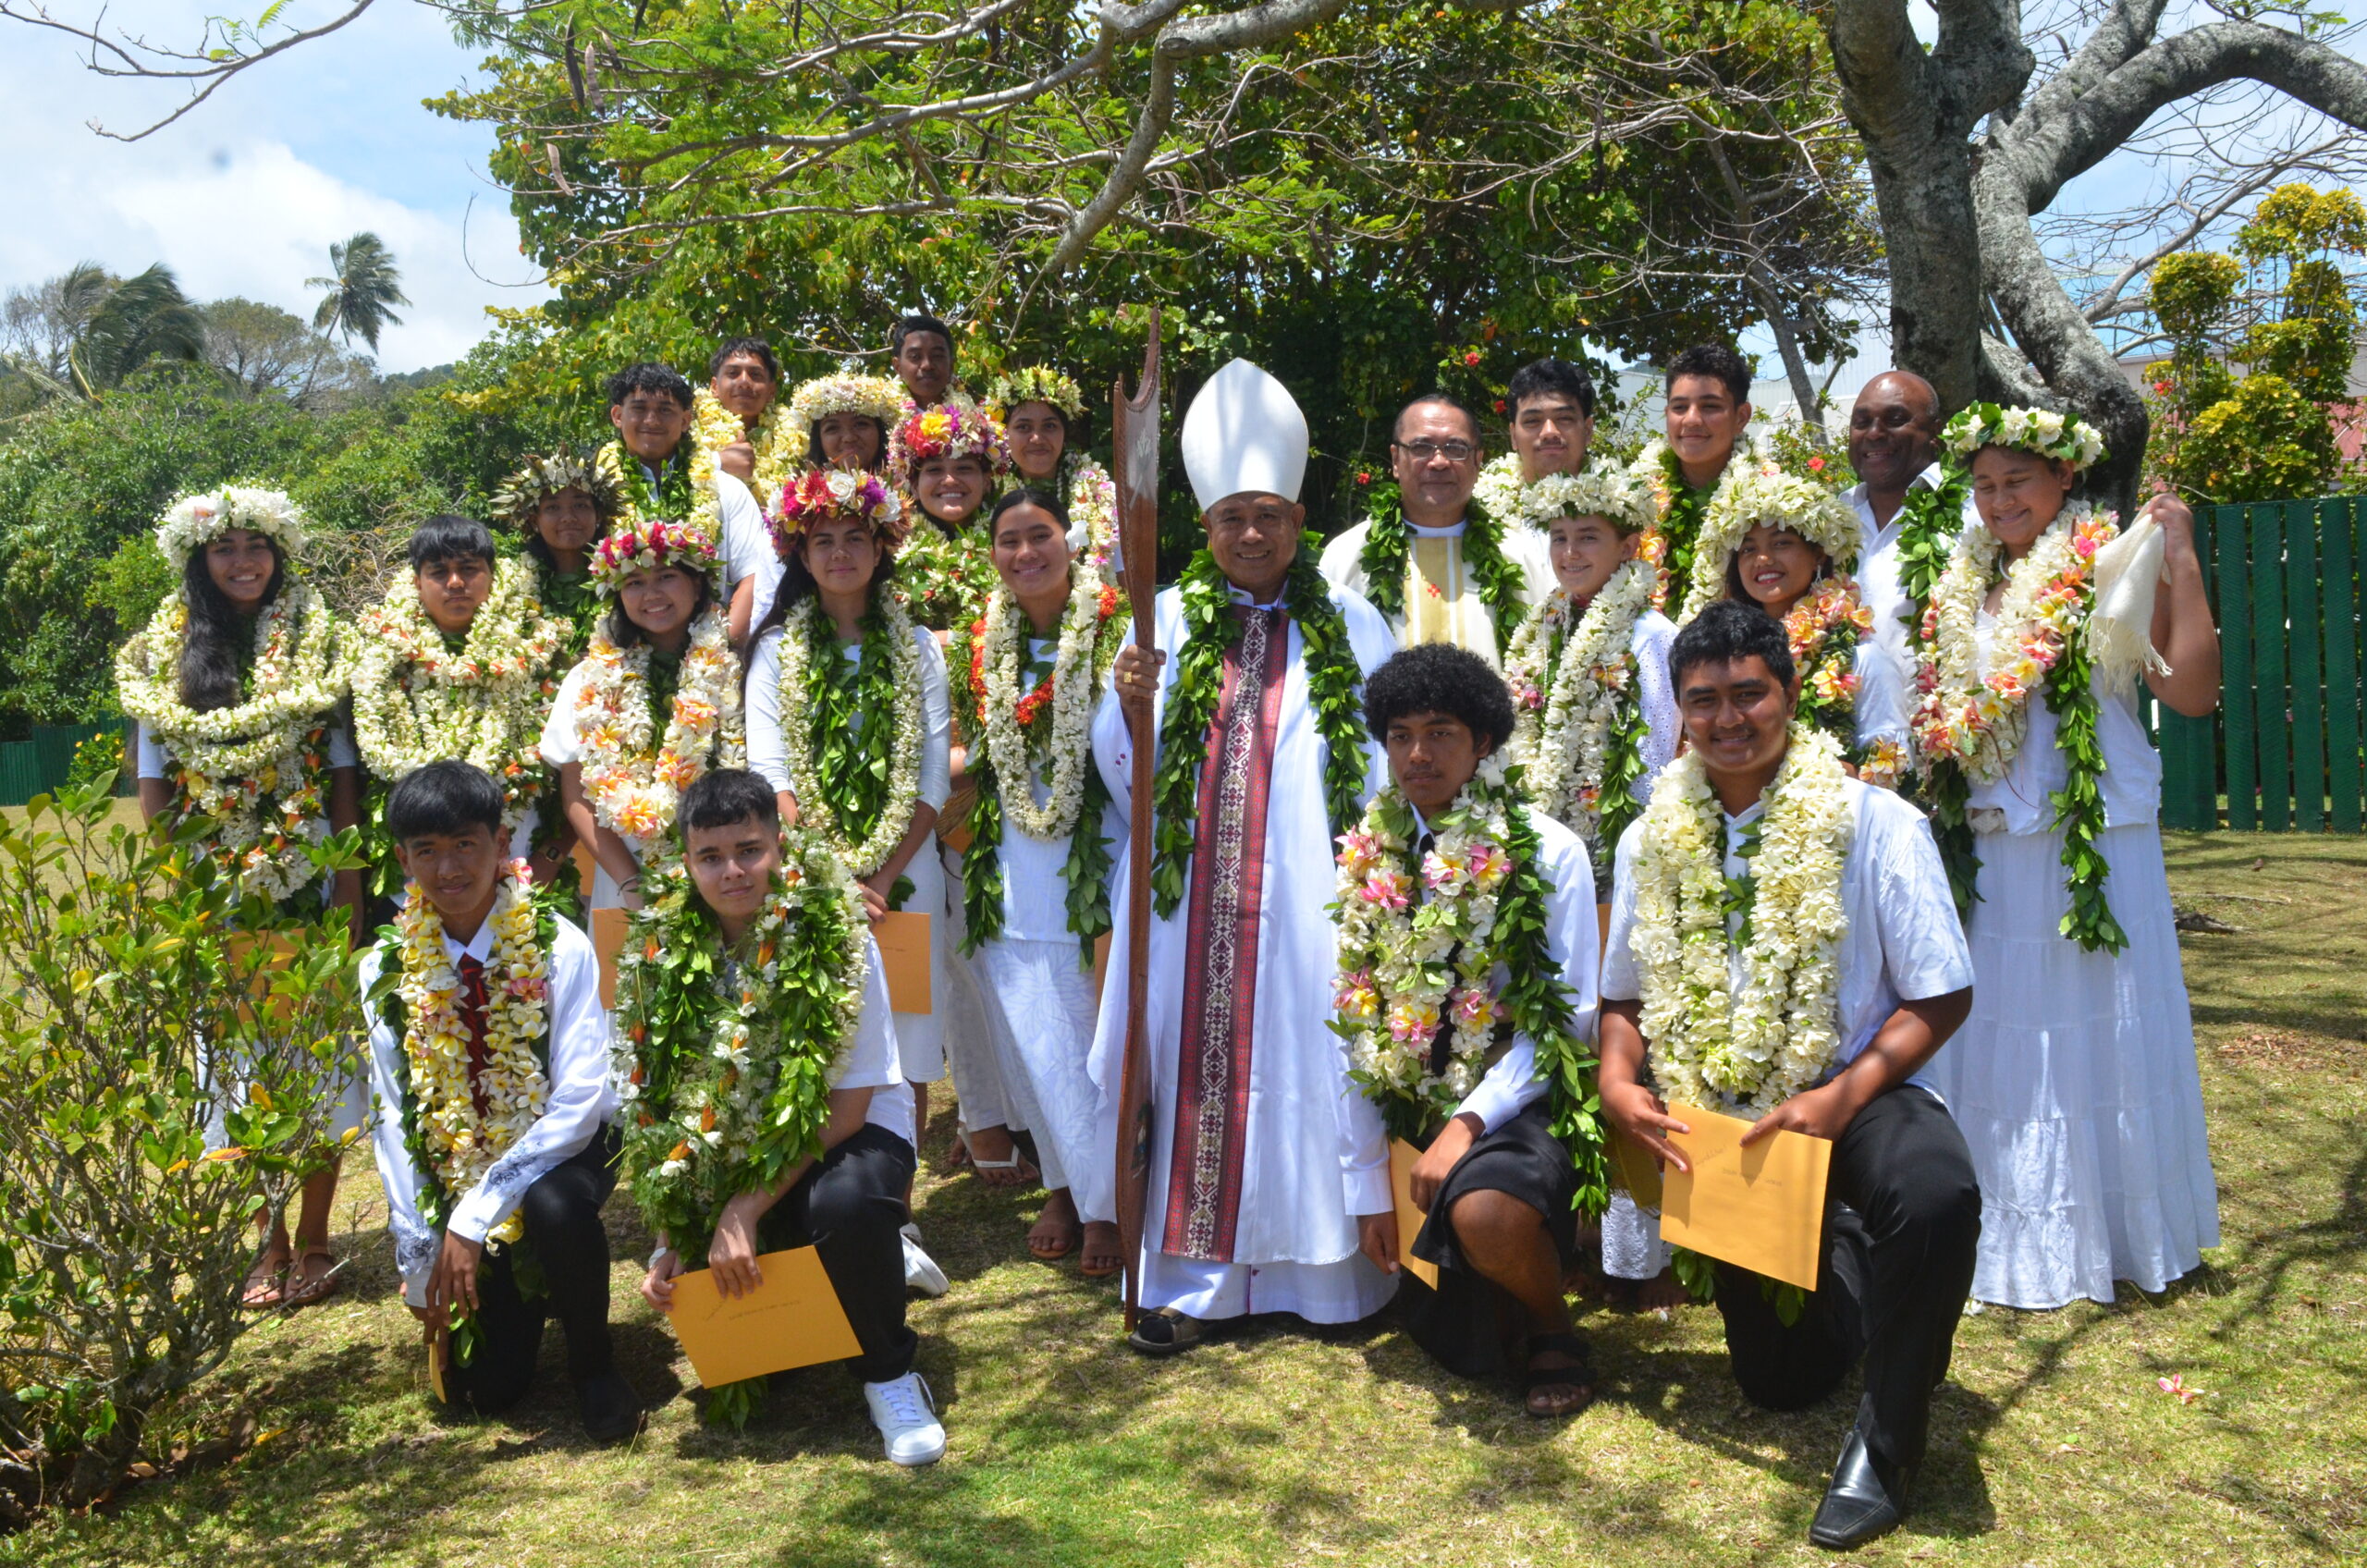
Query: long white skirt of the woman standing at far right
{"x": 2075, "y": 1081}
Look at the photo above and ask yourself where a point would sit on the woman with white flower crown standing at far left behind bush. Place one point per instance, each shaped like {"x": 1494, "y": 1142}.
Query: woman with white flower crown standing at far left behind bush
{"x": 238, "y": 688}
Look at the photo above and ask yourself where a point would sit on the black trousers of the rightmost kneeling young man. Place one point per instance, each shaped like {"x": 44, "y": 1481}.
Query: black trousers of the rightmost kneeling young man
{"x": 1902, "y": 1223}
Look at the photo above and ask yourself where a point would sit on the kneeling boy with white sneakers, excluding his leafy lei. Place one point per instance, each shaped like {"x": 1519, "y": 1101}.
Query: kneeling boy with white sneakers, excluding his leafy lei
{"x": 849, "y": 1202}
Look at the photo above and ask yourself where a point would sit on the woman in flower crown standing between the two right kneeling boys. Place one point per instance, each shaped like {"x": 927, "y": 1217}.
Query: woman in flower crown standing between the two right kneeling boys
{"x": 1594, "y": 726}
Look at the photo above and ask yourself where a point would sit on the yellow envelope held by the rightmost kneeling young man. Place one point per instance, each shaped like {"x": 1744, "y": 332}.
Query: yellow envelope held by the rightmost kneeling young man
{"x": 1760, "y": 1209}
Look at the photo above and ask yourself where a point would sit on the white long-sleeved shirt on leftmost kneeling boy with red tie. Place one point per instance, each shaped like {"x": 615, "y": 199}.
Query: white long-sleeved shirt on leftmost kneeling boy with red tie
{"x": 581, "y": 1100}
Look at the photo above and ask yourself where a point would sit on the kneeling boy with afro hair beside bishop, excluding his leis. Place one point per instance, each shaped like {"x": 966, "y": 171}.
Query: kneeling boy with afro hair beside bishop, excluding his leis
{"x": 1495, "y": 1183}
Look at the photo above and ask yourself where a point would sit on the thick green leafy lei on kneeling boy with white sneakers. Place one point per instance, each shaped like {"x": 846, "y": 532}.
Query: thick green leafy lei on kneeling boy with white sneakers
{"x": 725, "y": 1067}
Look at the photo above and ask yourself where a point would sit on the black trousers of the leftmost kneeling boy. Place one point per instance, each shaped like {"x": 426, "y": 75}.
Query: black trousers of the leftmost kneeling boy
{"x": 572, "y": 1257}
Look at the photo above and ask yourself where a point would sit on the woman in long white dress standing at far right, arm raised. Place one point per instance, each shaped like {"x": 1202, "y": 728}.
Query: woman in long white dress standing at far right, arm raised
{"x": 2075, "y": 1081}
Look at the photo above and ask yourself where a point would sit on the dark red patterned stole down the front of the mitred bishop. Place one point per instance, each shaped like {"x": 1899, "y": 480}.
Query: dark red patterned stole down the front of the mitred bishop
{"x": 1220, "y": 970}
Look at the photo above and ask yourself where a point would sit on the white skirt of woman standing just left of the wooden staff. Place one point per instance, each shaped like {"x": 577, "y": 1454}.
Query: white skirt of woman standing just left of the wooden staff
{"x": 1043, "y": 1008}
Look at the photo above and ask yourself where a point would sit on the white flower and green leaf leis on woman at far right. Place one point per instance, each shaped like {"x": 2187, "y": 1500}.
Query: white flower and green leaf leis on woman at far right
{"x": 1971, "y": 724}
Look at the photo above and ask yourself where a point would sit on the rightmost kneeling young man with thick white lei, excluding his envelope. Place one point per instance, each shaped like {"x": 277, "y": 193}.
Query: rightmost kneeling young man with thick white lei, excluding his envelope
{"x": 1845, "y": 972}
